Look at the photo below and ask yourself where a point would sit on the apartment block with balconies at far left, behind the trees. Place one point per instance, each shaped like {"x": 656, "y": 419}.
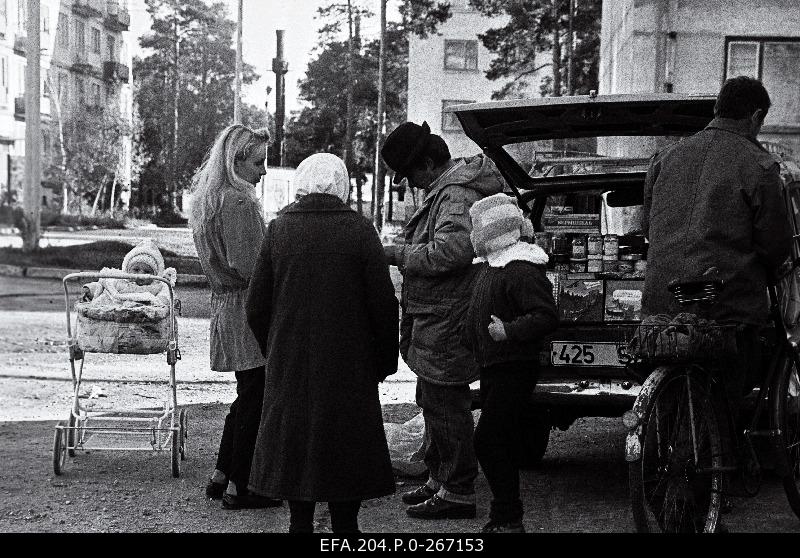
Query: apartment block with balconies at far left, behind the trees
{"x": 85, "y": 64}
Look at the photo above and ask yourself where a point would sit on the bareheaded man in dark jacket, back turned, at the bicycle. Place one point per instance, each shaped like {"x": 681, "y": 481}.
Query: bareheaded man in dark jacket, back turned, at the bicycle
{"x": 713, "y": 202}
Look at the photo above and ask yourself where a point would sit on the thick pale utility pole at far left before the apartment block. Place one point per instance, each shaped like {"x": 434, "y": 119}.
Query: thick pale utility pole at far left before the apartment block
{"x": 32, "y": 202}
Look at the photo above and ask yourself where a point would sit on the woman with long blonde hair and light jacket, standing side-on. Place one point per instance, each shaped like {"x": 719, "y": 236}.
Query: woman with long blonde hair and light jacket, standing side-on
{"x": 228, "y": 227}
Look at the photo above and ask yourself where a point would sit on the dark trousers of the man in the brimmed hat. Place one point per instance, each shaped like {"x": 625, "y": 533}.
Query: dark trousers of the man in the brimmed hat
{"x": 450, "y": 454}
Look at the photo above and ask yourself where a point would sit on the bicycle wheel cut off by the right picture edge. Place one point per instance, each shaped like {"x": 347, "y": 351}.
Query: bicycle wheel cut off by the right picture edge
{"x": 785, "y": 406}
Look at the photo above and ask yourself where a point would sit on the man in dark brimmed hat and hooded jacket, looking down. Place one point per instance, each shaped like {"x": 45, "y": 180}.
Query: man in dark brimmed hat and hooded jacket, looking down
{"x": 436, "y": 263}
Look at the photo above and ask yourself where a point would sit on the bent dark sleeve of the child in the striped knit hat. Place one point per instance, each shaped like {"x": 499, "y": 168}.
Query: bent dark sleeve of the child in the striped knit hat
{"x": 532, "y": 293}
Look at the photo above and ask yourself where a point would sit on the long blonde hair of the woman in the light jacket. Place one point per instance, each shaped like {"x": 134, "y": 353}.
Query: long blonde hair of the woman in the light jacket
{"x": 217, "y": 174}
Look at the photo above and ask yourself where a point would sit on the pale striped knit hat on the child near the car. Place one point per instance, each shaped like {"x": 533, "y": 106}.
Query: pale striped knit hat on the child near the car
{"x": 497, "y": 222}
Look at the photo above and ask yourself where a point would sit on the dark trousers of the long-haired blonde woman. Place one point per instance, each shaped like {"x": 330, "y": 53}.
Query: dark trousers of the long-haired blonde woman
{"x": 241, "y": 428}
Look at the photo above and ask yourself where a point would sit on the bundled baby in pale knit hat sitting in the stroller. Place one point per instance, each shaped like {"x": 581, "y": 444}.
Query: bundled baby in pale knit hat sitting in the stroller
{"x": 145, "y": 259}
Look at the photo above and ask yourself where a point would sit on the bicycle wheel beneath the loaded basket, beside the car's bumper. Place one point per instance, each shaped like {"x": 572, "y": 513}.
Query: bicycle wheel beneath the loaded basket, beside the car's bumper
{"x": 672, "y": 491}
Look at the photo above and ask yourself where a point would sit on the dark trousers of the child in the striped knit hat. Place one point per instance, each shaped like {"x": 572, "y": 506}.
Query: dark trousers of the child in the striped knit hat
{"x": 505, "y": 397}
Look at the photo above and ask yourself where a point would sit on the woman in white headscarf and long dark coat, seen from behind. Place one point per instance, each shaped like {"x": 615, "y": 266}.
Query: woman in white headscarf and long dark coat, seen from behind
{"x": 323, "y": 309}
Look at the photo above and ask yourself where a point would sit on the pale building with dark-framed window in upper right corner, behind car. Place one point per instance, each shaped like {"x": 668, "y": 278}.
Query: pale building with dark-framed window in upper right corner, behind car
{"x": 693, "y": 46}
